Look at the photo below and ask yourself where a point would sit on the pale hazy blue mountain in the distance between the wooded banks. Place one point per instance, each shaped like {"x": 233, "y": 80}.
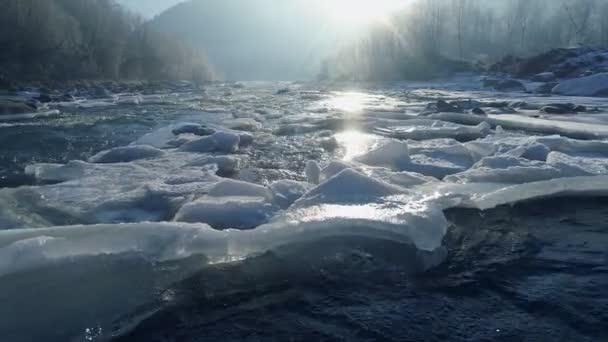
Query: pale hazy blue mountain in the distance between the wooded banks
{"x": 254, "y": 39}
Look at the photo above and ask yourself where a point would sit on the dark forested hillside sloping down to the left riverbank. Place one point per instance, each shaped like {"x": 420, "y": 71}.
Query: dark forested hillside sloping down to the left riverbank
{"x": 88, "y": 39}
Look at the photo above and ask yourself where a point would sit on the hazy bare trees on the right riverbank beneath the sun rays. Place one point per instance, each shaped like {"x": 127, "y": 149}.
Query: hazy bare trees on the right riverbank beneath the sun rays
{"x": 430, "y": 36}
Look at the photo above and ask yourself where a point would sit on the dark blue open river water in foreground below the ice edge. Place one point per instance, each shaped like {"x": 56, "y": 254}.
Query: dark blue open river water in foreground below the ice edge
{"x": 533, "y": 272}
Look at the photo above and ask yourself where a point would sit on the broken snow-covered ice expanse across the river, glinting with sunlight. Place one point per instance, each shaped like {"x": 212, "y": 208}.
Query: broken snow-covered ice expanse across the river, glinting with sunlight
{"x": 350, "y": 164}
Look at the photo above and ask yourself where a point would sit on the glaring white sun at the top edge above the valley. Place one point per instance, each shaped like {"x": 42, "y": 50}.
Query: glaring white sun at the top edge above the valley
{"x": 359, "y": 13}
